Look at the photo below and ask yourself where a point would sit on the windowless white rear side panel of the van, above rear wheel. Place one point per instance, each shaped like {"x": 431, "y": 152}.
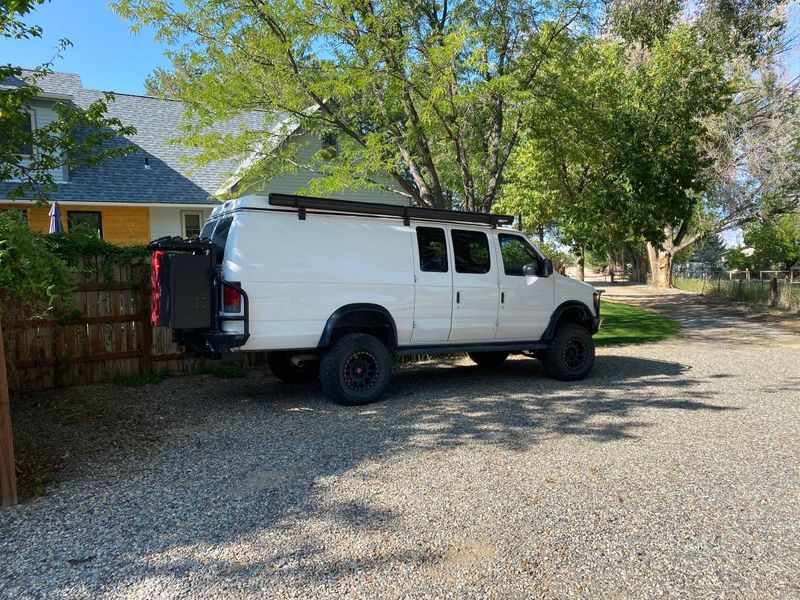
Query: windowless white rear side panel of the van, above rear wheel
{"x": 299, "y": 272}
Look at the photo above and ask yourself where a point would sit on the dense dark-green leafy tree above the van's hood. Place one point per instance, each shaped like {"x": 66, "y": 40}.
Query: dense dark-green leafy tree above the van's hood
{"x": 613, "y": 156}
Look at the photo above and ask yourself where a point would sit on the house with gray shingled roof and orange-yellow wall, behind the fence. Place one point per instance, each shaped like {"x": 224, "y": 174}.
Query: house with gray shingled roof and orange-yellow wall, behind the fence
{"x": 155, "y": 190}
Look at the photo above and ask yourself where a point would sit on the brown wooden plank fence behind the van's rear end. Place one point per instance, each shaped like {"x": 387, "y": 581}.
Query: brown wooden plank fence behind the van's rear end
{"x": 109, "y": 336}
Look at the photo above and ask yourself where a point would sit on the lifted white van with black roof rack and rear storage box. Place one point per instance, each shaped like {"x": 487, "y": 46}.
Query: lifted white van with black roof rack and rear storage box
{"x": 334, "y": 289}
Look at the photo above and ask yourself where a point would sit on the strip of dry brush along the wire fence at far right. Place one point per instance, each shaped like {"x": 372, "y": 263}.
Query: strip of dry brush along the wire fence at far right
{"x": 768, "y": 288}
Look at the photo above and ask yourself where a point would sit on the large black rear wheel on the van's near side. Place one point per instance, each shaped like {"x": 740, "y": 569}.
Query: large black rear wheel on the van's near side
{"x": 356, "y": 370}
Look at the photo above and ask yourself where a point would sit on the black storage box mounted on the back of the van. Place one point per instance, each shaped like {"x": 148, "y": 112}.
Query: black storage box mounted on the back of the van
{"x": 185, "y": 291}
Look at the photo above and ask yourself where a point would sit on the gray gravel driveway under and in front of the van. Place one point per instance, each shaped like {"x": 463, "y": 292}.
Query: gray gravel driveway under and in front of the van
{"x": 673, "y": 471}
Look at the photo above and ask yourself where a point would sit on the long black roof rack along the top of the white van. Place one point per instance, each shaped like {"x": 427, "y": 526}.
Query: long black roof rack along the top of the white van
{"x": 304, "y": 203}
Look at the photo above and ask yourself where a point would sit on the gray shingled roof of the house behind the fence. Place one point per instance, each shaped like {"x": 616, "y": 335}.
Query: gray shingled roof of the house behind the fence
{"x": 170, "y": 179}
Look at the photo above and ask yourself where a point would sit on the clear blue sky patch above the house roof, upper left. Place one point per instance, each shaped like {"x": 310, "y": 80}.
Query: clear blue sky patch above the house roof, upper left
{"x": 104, "y": 53}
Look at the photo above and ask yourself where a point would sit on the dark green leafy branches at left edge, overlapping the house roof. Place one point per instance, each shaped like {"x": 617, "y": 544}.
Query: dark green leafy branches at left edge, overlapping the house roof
{"x": 76, "y": 138}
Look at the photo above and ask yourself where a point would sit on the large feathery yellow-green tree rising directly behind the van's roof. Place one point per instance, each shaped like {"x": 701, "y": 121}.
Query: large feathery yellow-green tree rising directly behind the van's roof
{"x": 430, "y": 94}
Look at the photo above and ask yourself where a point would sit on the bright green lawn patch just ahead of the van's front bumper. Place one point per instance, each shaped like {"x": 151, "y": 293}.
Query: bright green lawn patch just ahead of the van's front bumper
{"x": 626, "y": 324}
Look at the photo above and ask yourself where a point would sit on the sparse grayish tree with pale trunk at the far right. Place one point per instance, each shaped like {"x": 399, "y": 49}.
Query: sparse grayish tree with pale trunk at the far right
{"x": 748, "y": 149}
